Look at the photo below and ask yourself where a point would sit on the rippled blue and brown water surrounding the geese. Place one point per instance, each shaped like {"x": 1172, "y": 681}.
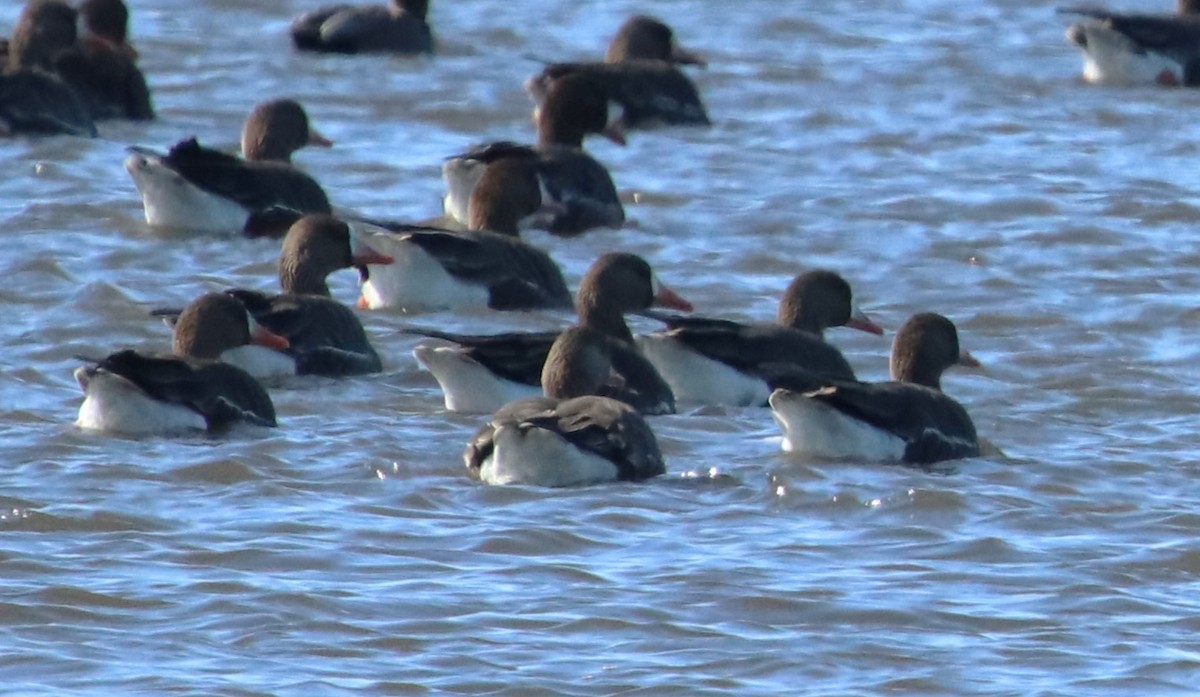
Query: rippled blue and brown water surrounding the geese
{"x": 941, "y": 155}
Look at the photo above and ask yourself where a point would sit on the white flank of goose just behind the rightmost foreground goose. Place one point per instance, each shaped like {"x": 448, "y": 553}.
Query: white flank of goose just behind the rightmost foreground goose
{"x": 698, "y": 378}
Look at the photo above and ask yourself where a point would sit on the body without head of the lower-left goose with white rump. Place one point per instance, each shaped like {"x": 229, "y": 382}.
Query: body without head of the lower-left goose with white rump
{"x": 141, "y": 394}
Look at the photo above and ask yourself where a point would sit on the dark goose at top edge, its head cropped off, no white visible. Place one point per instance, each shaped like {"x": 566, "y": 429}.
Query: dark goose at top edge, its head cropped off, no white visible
{"x": 400, "y": 27}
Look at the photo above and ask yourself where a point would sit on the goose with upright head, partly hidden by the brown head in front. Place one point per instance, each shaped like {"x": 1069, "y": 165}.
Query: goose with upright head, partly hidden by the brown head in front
{"x": 574, "y": 109}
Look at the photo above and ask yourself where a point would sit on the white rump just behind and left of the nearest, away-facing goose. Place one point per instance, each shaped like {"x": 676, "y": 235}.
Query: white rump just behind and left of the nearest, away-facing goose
{"x": 466, "y": 384}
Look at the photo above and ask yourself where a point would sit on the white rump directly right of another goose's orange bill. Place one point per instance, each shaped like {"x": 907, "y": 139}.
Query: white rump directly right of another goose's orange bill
{"x": 416, "y": 280}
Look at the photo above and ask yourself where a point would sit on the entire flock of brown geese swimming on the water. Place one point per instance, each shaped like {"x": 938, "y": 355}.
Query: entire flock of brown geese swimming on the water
{"x": 569, "y": 407}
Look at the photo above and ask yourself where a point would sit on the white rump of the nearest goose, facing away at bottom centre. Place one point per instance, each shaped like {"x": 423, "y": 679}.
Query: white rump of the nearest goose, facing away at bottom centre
{"x": 541, "y": 458}
